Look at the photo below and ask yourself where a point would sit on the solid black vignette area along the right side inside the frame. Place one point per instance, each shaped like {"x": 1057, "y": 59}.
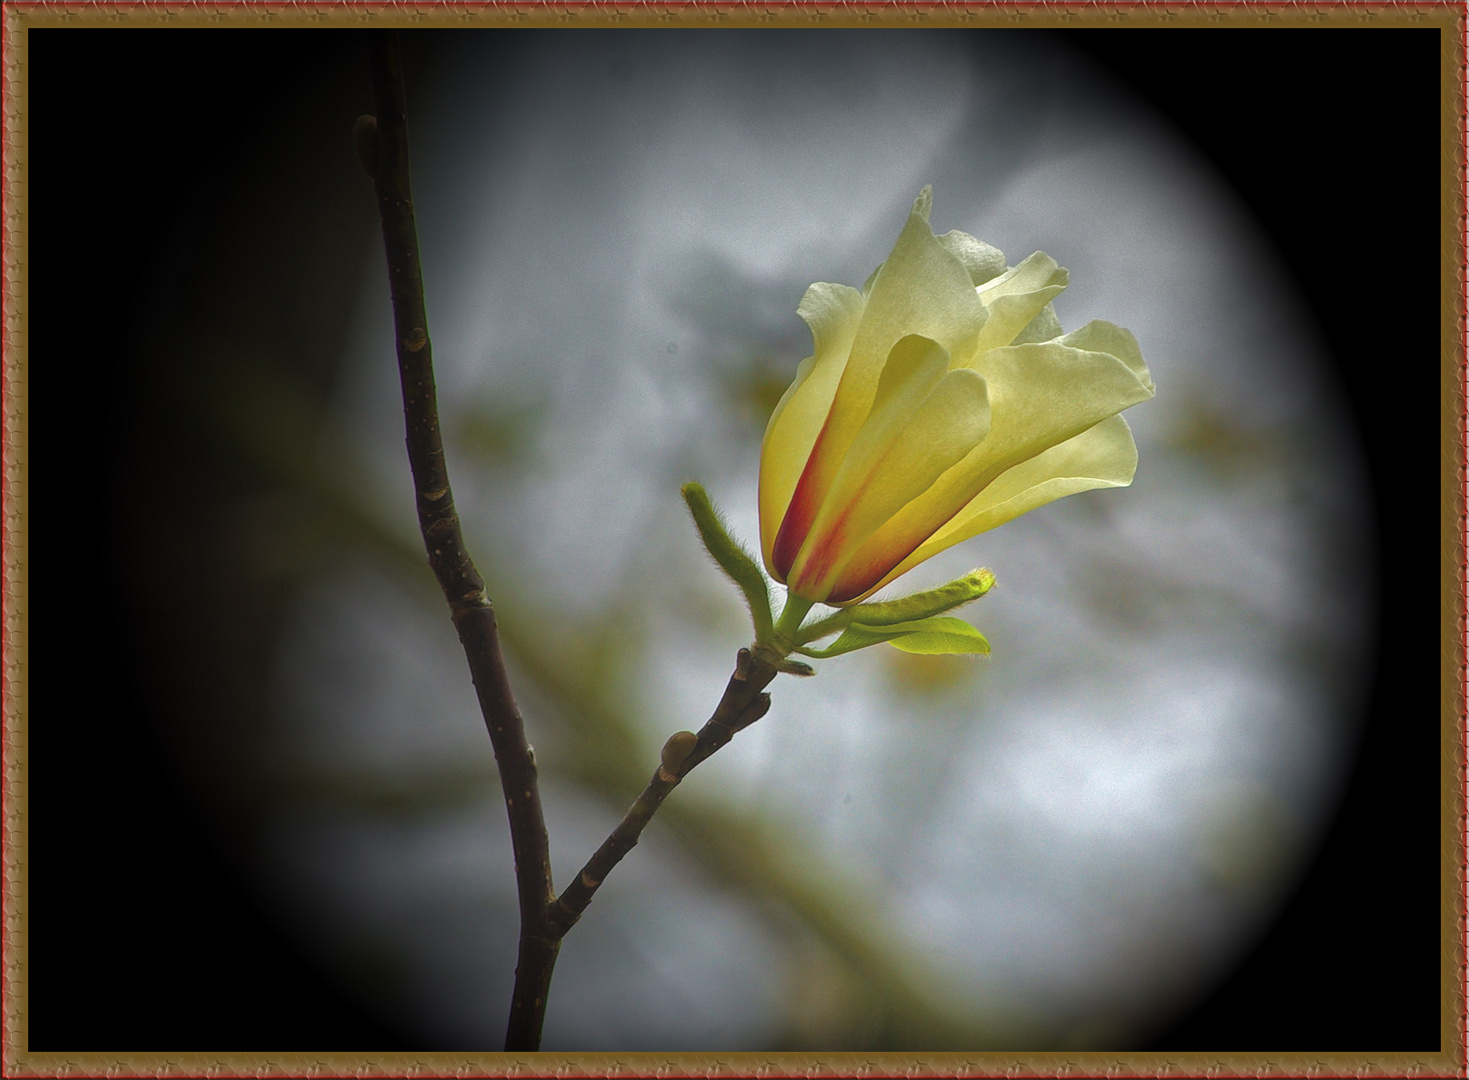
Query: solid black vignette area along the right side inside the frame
{"x": 1332, "y": 139}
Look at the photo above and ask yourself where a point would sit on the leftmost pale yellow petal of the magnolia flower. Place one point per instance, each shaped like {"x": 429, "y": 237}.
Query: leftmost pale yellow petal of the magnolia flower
{"x": 832, "y": 312}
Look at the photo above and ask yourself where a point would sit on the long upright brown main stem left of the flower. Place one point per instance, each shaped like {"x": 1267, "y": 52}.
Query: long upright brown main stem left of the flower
{"x": 384, "y": 151}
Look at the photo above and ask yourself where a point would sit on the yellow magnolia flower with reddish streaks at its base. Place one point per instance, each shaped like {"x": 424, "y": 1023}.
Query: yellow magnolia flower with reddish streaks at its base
{"x": 939, "y": 402}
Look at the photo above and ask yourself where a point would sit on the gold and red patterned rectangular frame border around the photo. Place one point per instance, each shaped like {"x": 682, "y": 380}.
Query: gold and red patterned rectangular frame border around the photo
{"x": 1446, "y": 15}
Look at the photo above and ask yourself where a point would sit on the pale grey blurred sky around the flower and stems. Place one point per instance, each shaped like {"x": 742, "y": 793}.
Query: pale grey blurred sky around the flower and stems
{"x": 1067, "y": 837}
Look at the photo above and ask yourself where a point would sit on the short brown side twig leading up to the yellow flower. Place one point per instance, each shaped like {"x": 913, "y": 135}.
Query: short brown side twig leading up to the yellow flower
{"x": 744, "y": 703}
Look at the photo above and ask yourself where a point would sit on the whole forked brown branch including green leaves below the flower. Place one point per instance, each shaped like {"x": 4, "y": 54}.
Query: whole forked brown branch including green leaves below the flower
{"x": 383, "y": 149}
